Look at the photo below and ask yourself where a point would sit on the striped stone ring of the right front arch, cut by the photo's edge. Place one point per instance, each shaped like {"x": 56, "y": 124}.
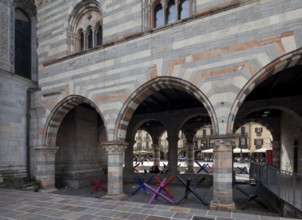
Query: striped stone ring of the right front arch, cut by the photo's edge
{"x": 286, "y": 61}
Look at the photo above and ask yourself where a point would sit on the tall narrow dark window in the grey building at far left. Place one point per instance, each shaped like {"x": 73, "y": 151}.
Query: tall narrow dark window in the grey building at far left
{"x": 22, "y": 44}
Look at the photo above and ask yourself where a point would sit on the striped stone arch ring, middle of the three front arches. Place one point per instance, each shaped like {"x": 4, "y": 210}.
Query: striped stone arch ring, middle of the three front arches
{"x": 147, "y": 89}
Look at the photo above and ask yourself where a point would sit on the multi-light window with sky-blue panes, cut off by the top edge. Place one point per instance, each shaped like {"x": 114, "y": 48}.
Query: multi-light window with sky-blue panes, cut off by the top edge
{"x": 168, "y": 11}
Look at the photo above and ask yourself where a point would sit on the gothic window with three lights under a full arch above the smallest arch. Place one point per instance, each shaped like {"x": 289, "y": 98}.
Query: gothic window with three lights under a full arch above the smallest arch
{"x": 85, "y": 26}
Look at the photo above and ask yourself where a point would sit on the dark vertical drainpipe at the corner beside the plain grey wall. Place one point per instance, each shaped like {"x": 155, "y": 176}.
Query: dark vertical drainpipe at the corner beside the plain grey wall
{"x": 28, "y": 104}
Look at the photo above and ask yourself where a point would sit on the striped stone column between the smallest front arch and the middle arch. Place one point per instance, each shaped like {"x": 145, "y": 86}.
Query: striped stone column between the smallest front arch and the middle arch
{"x": 116, "y": 152}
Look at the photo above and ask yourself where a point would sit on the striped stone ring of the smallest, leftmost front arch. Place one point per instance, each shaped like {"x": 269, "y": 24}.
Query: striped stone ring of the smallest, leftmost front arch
{"x": 57, "y": 115}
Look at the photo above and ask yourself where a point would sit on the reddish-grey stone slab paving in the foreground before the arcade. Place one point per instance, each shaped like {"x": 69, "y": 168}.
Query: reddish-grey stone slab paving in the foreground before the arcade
{"x": 17, "y": 204}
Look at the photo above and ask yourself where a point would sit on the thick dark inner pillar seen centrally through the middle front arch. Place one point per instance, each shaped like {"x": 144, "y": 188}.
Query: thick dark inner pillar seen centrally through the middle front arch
{"x": 173, "y": 154}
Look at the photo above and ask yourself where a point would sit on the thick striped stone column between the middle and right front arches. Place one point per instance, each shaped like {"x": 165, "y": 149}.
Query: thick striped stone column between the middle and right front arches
{"x": 222, "y": 175}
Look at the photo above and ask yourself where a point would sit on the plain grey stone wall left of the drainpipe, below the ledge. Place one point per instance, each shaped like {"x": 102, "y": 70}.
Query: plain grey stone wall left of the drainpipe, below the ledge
{"x": 13, "y": 125}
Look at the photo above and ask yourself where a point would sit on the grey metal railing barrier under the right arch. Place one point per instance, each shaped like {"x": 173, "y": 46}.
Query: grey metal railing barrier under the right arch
{"x": 286, "y": 185}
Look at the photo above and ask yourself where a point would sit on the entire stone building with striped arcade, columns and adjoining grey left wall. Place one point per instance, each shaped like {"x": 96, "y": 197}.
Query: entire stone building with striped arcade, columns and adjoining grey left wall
{"x": 108, "y": 68}
